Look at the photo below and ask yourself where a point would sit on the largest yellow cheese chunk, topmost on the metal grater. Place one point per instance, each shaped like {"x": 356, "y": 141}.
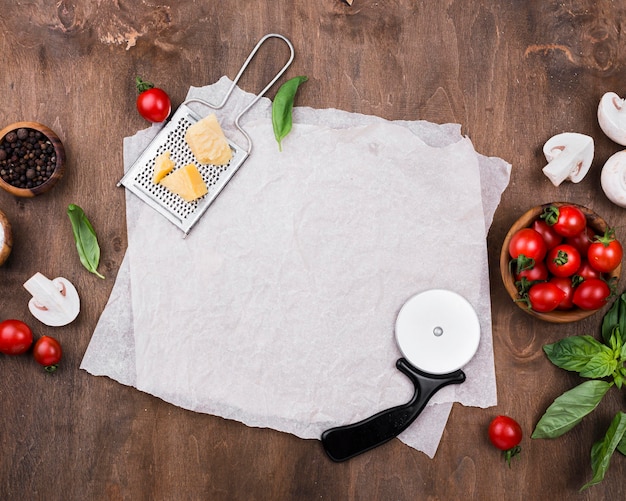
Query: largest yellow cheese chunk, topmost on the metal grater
{"x": 207, "y": 141}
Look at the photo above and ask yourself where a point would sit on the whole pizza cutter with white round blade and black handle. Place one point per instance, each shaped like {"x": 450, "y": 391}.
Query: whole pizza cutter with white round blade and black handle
{"x": 438, "y": 332}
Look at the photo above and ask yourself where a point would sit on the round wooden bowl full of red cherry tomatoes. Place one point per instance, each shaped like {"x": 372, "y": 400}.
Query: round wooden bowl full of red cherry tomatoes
{"x": 560, "y": 262}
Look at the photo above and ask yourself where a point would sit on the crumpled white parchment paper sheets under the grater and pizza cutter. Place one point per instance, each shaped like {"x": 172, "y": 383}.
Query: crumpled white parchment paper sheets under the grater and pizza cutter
{"x": 278, "y": 309}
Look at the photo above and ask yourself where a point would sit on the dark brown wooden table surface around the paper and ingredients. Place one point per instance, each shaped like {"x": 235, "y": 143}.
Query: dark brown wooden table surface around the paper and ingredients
{"x": 512, "y": 73}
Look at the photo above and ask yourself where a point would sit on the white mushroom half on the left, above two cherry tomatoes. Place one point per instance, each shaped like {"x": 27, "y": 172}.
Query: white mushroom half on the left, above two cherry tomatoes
{"x": 54, "y": 302}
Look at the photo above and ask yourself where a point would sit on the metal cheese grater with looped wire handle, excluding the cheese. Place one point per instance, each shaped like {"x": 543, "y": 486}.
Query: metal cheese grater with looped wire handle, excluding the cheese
{"x": 171, "y": 138}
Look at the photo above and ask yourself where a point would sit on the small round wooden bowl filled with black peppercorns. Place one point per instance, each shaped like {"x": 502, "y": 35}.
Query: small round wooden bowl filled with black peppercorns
{"x": 32, "y": 159}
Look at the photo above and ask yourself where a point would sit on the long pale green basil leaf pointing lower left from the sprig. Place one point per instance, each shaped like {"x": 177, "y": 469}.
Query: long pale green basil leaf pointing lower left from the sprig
{"x": 570, "y": 408}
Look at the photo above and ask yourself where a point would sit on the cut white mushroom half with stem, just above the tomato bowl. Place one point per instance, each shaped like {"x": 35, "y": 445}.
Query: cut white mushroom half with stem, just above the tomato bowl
{"x": 569, "y": 156}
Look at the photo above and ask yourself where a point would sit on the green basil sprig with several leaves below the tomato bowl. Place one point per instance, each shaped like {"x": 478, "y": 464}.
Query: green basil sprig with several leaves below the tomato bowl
{"x": 593, "y": 360}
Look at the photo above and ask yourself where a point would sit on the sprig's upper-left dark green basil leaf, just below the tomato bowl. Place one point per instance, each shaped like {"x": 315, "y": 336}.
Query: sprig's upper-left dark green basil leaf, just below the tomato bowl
{"x": 576, "y": 353}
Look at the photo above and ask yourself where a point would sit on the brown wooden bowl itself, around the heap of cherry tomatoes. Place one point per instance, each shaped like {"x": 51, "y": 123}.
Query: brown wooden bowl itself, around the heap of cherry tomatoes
{"x": 594, "y": 221}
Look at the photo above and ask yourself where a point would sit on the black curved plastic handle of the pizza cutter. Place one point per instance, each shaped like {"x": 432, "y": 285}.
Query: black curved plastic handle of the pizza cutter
{"x": 345, "y": 442}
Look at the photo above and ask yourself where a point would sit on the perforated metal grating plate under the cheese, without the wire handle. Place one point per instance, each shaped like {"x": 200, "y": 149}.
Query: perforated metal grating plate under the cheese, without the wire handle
{"x": 171, "y": 138}
